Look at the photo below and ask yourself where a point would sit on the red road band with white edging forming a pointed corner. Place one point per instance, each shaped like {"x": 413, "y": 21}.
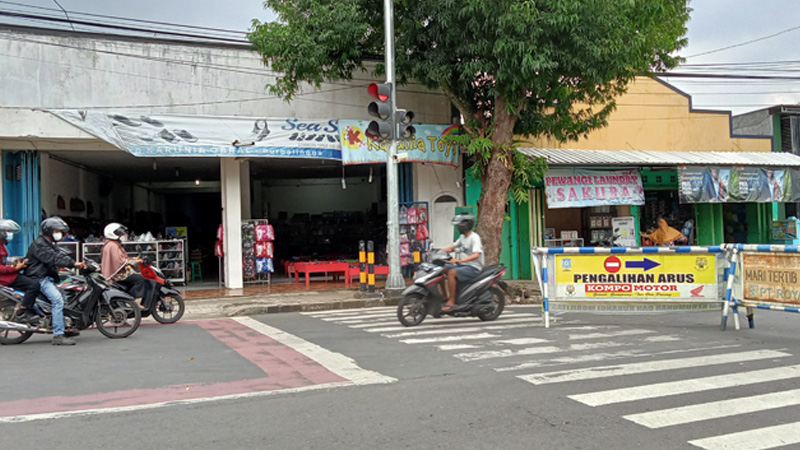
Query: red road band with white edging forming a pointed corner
{"x": 341, "y": 371}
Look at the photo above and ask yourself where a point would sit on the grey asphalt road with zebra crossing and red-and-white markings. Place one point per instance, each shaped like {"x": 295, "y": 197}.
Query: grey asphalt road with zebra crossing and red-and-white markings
{"x": 358, "y": 380}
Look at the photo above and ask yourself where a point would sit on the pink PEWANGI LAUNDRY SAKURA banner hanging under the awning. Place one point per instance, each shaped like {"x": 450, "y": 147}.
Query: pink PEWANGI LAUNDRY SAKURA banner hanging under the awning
{"x": 576, "y": 188}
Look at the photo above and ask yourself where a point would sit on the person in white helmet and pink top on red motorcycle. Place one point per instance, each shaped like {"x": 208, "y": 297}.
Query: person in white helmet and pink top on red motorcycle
{"x": 116, "y": 266}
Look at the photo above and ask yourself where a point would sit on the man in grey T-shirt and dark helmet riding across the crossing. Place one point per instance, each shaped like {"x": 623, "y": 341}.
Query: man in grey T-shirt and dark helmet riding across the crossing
{"x": 467, "y": 267}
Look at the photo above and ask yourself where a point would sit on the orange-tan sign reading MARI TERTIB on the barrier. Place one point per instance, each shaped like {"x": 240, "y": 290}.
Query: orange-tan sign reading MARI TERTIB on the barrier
{"x": 771, "y": 277}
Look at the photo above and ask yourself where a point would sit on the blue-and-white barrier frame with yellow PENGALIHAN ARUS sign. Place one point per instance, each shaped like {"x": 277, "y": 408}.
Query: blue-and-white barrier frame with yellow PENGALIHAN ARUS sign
{"x": 631, "y": 280}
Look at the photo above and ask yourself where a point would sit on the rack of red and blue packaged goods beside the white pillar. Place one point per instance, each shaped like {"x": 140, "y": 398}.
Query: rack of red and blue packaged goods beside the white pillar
{"x": 257, "y": 251}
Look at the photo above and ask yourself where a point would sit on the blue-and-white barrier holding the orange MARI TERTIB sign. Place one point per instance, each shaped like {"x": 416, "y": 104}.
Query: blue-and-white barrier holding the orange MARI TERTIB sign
{"x": 764, "y": 277}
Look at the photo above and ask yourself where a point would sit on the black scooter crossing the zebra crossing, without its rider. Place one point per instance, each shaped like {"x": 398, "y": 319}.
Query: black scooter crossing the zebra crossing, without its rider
{"x": 482, "y": 297}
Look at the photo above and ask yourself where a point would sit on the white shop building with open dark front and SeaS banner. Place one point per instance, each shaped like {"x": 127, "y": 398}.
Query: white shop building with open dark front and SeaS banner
{"x": 172, "y": 96}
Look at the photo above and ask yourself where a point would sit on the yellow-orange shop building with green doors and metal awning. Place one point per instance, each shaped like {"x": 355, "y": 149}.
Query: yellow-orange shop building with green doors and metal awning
{"x": 670, "y": 148}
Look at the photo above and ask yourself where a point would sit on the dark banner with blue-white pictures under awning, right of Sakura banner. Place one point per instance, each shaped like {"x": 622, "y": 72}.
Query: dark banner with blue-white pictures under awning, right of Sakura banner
{"x": 731, "y": 184}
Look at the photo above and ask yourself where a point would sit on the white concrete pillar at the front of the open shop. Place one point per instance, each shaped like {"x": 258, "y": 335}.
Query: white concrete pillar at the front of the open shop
{"x": 230, "y": 182}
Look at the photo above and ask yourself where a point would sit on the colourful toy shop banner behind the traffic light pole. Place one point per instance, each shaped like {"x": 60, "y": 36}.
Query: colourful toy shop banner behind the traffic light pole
{"x": 429, "y": 145}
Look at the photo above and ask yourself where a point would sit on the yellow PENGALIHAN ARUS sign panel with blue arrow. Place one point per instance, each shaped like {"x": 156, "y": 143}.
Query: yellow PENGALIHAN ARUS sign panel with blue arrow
{"x": 636, "y": 276}
